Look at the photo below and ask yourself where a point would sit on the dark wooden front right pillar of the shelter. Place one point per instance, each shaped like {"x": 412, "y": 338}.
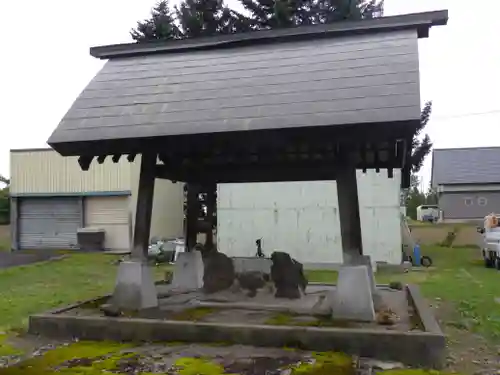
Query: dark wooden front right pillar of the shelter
{"x": 350, "y": 224}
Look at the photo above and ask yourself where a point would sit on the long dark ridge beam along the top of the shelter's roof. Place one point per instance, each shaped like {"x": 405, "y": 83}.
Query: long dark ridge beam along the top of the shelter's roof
{"x": 422, "y": 22}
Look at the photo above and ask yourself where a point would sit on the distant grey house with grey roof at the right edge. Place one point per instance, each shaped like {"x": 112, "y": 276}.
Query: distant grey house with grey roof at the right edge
{"x": 467, "y": 181}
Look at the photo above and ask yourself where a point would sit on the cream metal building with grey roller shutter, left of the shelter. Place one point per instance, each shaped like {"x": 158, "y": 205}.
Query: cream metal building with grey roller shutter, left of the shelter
{"x": 51, "y": 198}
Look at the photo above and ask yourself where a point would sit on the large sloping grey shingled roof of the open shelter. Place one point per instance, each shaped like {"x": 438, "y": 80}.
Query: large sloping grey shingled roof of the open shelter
{"x": 333, "y": 78}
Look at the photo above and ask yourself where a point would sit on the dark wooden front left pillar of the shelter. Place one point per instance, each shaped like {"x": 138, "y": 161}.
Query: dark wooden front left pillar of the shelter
{"x": 144, "y": 209}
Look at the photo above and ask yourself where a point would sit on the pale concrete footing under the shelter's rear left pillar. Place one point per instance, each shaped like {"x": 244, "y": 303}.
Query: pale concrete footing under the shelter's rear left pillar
{"x": 188, "y": 271}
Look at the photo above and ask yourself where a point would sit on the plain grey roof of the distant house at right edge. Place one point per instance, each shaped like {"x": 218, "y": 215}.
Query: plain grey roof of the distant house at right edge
{"x": 479, "y": 165}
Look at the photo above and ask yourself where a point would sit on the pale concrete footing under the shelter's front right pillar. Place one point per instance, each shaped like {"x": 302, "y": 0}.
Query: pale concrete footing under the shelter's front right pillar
{"x": 353, "y": 297}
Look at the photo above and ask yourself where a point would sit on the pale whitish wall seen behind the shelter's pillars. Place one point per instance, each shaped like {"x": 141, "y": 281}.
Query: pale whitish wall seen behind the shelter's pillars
{"x": 302, "y": 218}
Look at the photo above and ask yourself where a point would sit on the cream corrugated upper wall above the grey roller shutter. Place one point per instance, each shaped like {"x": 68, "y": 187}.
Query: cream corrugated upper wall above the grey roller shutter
{"x": 45, "y": 171}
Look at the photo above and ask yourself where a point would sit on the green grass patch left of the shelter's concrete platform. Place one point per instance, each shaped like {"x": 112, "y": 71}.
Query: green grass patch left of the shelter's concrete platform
{"x": 38, "y": 287}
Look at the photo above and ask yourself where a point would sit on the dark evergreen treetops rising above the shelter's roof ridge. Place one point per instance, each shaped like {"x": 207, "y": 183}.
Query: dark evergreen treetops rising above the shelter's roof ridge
{"x": 195, "y": 18}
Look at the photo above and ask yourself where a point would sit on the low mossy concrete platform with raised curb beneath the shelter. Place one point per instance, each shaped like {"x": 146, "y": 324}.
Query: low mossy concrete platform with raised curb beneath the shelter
{"x": 189, "y": 316}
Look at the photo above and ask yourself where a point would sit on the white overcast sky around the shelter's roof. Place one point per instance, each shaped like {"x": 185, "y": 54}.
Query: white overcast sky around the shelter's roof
{"x": 45, "y": 64}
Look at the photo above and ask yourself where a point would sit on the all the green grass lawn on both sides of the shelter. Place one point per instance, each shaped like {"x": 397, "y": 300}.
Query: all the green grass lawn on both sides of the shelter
{"x": 463, "y": 293}
